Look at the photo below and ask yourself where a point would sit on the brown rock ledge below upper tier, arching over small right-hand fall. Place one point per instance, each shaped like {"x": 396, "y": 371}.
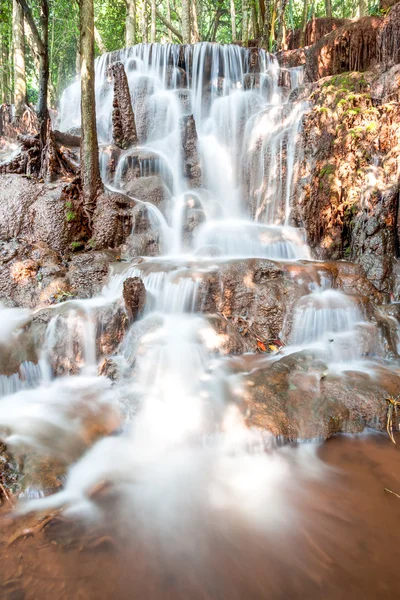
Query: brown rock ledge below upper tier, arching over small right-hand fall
{"x": 258, "y": 296}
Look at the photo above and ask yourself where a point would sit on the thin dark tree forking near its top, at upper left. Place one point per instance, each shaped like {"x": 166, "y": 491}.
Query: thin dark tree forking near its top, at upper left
{"x": 41, "y": 40}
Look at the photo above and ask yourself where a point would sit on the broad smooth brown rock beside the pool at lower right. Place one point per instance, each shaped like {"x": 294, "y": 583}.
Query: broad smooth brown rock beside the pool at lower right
{"x": 296, "y": 398}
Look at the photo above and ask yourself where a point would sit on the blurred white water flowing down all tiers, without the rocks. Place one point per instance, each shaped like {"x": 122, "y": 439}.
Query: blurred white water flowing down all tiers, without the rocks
{"x": 178, "y": 452}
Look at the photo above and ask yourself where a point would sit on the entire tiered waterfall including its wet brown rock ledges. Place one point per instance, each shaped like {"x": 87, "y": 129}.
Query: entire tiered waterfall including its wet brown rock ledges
{"x": 217, "y": 335}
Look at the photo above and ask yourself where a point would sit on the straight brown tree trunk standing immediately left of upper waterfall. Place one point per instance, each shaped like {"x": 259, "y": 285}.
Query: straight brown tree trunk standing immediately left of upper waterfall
{"x": 90, "y": 170}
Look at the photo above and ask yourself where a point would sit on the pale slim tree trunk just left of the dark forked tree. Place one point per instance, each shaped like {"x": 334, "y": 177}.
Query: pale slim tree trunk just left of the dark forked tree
{"x": 19, "y": 59}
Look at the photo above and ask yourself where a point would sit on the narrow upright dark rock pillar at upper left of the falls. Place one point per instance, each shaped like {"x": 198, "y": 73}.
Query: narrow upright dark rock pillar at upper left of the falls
{"x": 123, "y": 118}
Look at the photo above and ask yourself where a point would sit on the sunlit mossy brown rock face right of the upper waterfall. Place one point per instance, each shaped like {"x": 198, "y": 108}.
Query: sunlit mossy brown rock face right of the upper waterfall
{"x": 349, "y": 203}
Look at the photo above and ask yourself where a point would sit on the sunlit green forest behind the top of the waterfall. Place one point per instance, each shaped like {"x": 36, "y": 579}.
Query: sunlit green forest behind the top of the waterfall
{"x": 120, "y": 23}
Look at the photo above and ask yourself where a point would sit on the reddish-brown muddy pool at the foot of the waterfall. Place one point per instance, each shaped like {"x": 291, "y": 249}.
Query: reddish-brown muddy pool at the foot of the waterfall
{"x": 342, "y": 541}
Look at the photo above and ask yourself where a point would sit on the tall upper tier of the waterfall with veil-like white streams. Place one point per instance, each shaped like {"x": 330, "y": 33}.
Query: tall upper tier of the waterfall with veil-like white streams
{"x": 217, "y": 134}
